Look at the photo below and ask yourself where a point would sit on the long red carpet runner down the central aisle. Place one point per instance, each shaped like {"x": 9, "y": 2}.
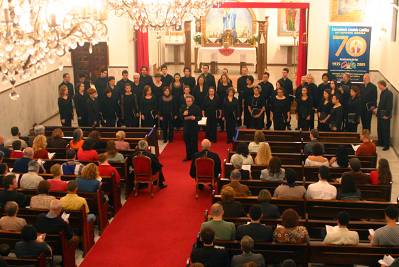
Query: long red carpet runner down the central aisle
{"x": 159, "y": 231}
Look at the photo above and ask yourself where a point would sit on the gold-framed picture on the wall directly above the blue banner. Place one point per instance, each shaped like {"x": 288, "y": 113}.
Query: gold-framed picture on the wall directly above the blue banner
{"x": 347, "y": 10}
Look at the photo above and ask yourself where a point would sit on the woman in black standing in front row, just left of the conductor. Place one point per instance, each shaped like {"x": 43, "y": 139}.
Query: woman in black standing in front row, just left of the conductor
{"x": 168, "y": 112}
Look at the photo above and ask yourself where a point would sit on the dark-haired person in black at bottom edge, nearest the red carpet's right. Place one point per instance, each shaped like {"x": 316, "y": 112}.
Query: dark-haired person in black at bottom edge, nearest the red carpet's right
{"x": 207, "y": 254}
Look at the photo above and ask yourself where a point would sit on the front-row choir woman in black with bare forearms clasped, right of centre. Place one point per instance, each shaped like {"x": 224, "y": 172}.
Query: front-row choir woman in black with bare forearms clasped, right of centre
{"x": 256, "y": 109}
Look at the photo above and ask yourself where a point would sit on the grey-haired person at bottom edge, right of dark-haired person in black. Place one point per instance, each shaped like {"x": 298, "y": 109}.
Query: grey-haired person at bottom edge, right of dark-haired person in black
{"x": 247, "y": 246}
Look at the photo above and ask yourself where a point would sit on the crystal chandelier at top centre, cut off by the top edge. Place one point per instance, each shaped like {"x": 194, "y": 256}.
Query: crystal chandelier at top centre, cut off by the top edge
{"x": 161, "y": 14}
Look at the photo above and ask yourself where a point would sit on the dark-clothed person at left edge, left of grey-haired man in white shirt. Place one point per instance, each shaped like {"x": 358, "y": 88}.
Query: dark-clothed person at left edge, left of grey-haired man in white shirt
{"x": 10, "y": 193}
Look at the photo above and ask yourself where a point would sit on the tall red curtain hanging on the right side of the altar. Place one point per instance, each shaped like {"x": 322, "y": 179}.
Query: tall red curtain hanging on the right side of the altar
{"x": 302, "y": 47}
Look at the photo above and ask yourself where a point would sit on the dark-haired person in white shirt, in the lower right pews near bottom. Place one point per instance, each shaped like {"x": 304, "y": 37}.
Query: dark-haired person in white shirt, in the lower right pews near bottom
{"x": 340, "y": 234}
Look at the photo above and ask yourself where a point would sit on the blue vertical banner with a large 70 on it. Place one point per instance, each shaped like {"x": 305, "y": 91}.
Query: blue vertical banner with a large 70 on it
{"x": 349, "y": 51}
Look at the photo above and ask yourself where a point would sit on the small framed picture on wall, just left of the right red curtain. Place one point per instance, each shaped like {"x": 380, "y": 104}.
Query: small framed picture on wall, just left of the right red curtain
{"x": 288, "y": 21}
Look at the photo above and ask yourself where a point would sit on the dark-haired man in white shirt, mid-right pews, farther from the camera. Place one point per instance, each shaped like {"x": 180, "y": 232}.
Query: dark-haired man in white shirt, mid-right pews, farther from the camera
{"x": 322, "y": 189}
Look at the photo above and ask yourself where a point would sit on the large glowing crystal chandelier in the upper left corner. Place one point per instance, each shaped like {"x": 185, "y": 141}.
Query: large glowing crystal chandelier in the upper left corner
{"x": 34, "y": 33}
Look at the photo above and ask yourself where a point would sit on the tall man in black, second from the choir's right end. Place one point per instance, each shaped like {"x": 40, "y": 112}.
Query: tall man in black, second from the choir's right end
{"x": 368, "y": 98}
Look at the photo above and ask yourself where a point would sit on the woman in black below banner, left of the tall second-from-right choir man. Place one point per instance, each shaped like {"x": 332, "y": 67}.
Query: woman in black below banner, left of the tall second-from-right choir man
{"x": 353, "y": 110}
